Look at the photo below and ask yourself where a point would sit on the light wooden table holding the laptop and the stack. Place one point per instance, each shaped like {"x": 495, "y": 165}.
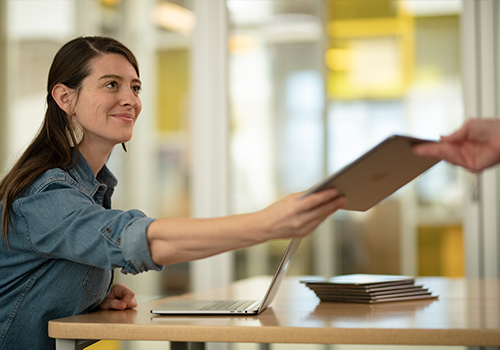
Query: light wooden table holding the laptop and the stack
{"x": 466, "y": 313}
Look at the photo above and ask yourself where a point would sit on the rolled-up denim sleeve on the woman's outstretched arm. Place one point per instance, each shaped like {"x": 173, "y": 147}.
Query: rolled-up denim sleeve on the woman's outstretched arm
{"x": 62, "y": 222}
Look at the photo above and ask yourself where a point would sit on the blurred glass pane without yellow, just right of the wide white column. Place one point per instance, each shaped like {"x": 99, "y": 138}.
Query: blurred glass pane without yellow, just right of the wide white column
{"x": 277, "y": 99}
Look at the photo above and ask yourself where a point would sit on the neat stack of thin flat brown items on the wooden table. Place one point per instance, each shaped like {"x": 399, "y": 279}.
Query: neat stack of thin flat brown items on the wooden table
{"x": 363, "y": 288}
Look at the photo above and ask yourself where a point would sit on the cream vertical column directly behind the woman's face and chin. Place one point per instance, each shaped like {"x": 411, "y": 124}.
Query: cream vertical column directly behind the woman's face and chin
{"x": 138, "y": 167}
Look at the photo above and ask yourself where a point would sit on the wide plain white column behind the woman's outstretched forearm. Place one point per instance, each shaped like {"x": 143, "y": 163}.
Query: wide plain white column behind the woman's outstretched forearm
{"x": 209, "y": 133}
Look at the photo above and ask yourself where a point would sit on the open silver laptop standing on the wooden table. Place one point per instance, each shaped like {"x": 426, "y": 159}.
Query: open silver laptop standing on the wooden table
{"x": 233, "y": 307}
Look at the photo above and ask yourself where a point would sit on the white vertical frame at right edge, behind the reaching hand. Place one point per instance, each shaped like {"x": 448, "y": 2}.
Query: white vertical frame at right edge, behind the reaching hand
{"x": 480, "y": 93}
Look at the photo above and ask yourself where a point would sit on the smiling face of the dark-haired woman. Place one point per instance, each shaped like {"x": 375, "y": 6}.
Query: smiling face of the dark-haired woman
{"x": 108, "y": 102}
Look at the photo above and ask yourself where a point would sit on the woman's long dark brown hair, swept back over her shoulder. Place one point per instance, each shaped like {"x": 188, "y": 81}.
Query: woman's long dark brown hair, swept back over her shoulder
{"x": 51, "y": 147}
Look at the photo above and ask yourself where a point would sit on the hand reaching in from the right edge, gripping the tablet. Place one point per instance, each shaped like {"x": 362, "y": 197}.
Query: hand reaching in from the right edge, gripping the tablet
{"x": 475, "y": 146}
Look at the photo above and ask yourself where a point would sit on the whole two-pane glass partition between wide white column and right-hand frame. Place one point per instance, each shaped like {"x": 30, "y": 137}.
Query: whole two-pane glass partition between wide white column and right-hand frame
{"x": 308, "y": 98}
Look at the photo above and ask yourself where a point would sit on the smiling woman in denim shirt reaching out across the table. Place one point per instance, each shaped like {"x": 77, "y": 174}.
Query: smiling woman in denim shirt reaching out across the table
{"x": 61, "y": 237}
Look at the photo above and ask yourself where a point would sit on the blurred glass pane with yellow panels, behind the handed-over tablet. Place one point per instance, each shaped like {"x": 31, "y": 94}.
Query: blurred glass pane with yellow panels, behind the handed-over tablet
{"x": 394, "y": 68}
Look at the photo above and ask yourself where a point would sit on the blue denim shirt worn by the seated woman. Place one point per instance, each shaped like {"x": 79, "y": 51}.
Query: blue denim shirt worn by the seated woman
{"x": 65, "y": 242}
